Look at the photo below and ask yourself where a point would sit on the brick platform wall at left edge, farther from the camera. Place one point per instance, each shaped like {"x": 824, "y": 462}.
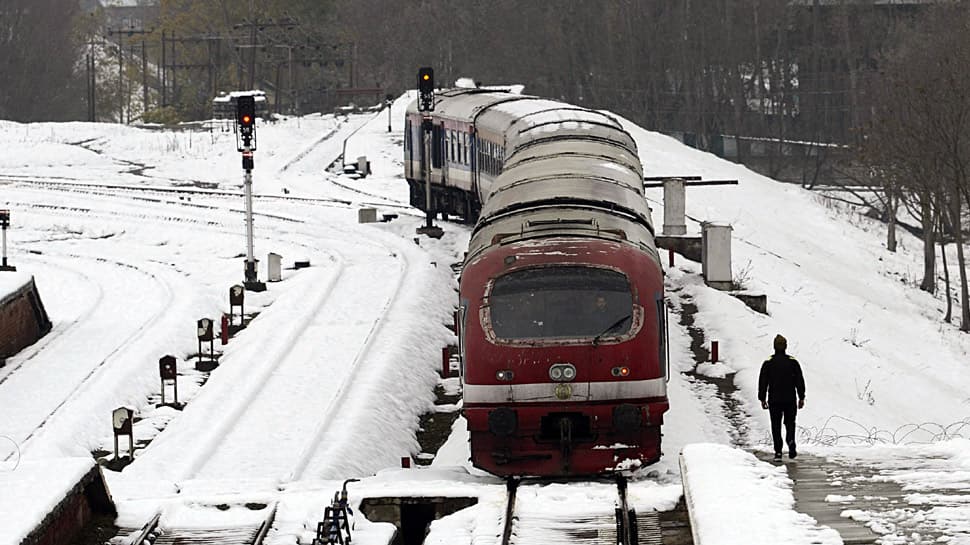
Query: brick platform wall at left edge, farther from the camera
{"x": 23, "y": 320}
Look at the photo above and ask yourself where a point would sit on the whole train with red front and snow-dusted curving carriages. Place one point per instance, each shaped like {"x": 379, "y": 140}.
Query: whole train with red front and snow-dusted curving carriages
{"x": 562, "y": 319}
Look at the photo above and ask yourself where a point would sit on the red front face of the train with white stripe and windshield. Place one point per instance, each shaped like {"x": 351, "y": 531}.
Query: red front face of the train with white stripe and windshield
{"x": 564, "y": 365}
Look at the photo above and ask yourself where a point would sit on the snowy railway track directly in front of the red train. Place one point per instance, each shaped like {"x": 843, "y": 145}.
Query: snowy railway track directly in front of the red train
{"x": 549, "y": 513}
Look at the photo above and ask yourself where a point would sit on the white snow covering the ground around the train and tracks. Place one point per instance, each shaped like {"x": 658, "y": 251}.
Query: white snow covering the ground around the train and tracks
{"x": 328, "y": 382}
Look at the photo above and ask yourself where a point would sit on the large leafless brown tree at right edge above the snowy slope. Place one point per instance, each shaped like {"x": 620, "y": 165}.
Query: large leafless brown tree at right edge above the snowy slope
{"x": 919, "y": 130}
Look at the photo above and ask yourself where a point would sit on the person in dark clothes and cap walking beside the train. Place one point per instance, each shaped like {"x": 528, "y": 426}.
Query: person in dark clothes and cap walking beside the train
{"x": 781, "y": 379}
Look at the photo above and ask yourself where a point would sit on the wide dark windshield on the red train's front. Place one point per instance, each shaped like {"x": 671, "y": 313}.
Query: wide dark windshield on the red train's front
{"x": 561, "y": 302}
